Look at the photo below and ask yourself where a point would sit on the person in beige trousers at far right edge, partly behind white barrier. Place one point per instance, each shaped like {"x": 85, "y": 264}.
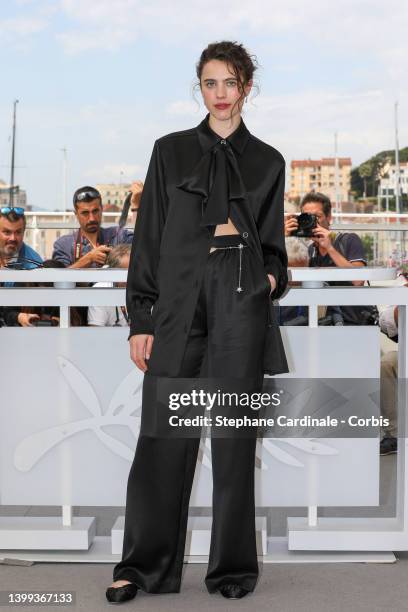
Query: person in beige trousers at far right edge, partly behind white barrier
{"x": 388, "y": 321}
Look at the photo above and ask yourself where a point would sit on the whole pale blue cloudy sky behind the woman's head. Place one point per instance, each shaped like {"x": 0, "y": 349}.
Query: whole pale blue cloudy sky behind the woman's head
{"x": 105, "y": 78}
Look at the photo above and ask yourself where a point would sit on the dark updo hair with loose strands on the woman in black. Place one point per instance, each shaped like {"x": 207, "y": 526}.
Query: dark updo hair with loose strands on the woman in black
{"x": 238, "y": 59}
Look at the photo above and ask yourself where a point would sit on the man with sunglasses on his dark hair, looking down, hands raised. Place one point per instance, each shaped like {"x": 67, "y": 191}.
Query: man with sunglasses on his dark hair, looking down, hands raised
{"x": 89, "y": 246}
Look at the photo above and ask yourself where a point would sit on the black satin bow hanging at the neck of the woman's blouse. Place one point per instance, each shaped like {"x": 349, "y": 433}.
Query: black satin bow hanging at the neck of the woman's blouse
{"x": 218, "y": 180}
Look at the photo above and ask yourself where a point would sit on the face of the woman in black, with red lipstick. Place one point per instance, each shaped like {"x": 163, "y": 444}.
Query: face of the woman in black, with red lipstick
{"x": 220, "y": 90}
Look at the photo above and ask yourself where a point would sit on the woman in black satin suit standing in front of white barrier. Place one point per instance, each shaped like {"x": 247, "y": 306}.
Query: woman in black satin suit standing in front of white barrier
{"x": 208, "y": 255}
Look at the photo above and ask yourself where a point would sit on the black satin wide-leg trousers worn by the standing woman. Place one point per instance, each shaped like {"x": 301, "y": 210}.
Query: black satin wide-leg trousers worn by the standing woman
{"x": 226, "y": 340}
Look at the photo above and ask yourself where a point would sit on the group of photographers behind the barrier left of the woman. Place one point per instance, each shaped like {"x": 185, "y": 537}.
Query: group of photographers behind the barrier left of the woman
{"x": 90, "y": 246}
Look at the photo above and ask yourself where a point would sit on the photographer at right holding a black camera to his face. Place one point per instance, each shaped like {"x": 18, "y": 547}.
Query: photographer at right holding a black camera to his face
{"x": 328, "y": 249}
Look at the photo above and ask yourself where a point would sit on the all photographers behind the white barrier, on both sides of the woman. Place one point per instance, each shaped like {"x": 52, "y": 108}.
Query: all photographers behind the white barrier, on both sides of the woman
{"x": 309, "y": 242}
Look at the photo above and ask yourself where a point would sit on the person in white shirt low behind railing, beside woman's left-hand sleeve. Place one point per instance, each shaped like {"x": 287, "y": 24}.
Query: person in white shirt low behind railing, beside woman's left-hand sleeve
{"x": 111, "y": 316}
